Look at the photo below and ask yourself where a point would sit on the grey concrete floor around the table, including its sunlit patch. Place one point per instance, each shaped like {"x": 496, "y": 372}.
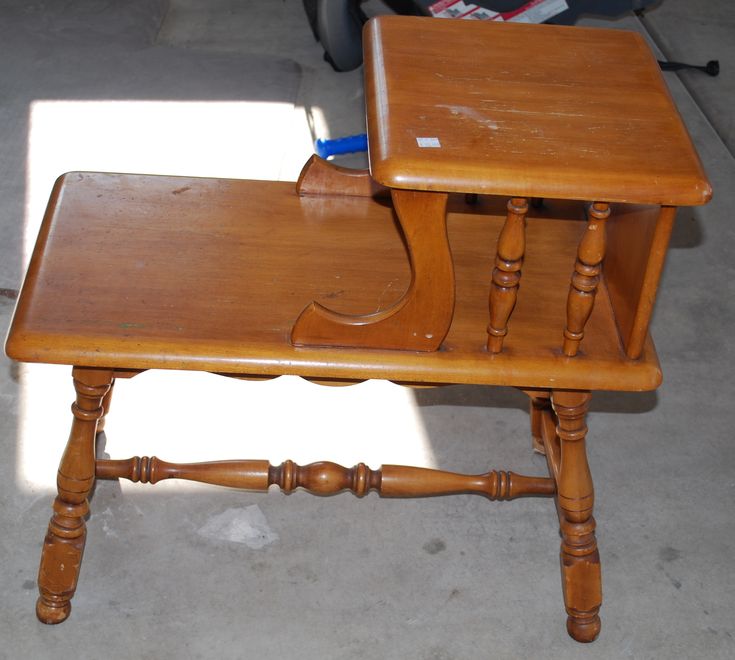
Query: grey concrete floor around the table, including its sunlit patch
{"x": 196, "y": 572}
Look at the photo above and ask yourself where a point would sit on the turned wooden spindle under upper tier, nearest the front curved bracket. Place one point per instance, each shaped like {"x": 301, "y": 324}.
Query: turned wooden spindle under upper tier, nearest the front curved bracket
{"x": 507, "y": 272}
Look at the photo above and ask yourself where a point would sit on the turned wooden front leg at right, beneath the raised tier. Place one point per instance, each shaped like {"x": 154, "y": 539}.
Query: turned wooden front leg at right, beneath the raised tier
{"x": 580, "y": 560}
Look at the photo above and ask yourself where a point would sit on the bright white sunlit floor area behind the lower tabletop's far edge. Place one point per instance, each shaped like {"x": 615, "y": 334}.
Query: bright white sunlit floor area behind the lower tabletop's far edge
{"x": 226, "y": 139}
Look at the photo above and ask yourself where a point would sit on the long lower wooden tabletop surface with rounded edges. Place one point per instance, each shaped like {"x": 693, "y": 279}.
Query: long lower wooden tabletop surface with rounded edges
{"x": 138, "y": 272}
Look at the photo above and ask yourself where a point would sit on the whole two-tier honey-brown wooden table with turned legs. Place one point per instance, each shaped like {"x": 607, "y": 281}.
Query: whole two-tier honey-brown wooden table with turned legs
{"x": 511, "y": 231}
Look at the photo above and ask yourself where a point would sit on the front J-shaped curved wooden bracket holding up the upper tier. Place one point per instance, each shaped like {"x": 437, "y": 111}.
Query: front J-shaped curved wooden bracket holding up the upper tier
{"x": 420, "y": 320}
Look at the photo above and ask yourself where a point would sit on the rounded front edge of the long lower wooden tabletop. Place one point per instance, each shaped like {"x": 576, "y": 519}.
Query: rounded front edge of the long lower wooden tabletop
{"x": 363, "y": 364}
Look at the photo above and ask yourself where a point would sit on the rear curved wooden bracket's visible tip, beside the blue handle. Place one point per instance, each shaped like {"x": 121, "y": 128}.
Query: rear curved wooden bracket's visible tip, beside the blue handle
{"x": 320, "y": 177}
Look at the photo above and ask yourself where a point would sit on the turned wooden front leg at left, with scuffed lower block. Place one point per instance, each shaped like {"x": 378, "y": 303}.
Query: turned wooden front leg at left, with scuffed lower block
{"x": 64, "y": 543}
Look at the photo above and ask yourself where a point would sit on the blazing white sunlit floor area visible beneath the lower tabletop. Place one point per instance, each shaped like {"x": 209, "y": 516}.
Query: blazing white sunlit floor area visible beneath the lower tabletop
{"x": 194, "y": 416}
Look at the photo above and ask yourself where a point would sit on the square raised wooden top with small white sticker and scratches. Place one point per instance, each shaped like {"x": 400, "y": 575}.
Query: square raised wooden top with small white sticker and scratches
{"x": 524, "y": 110}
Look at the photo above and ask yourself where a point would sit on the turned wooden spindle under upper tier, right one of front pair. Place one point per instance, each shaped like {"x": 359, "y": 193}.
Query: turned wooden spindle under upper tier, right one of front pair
{"x": 586, "y": 277}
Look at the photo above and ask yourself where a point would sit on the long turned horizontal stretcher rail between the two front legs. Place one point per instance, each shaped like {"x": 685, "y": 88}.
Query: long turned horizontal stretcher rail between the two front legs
{"x": 325, "y": 478}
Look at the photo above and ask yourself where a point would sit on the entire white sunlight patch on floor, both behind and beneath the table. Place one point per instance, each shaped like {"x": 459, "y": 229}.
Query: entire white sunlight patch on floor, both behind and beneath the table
{"x": 198, "y": 416}
